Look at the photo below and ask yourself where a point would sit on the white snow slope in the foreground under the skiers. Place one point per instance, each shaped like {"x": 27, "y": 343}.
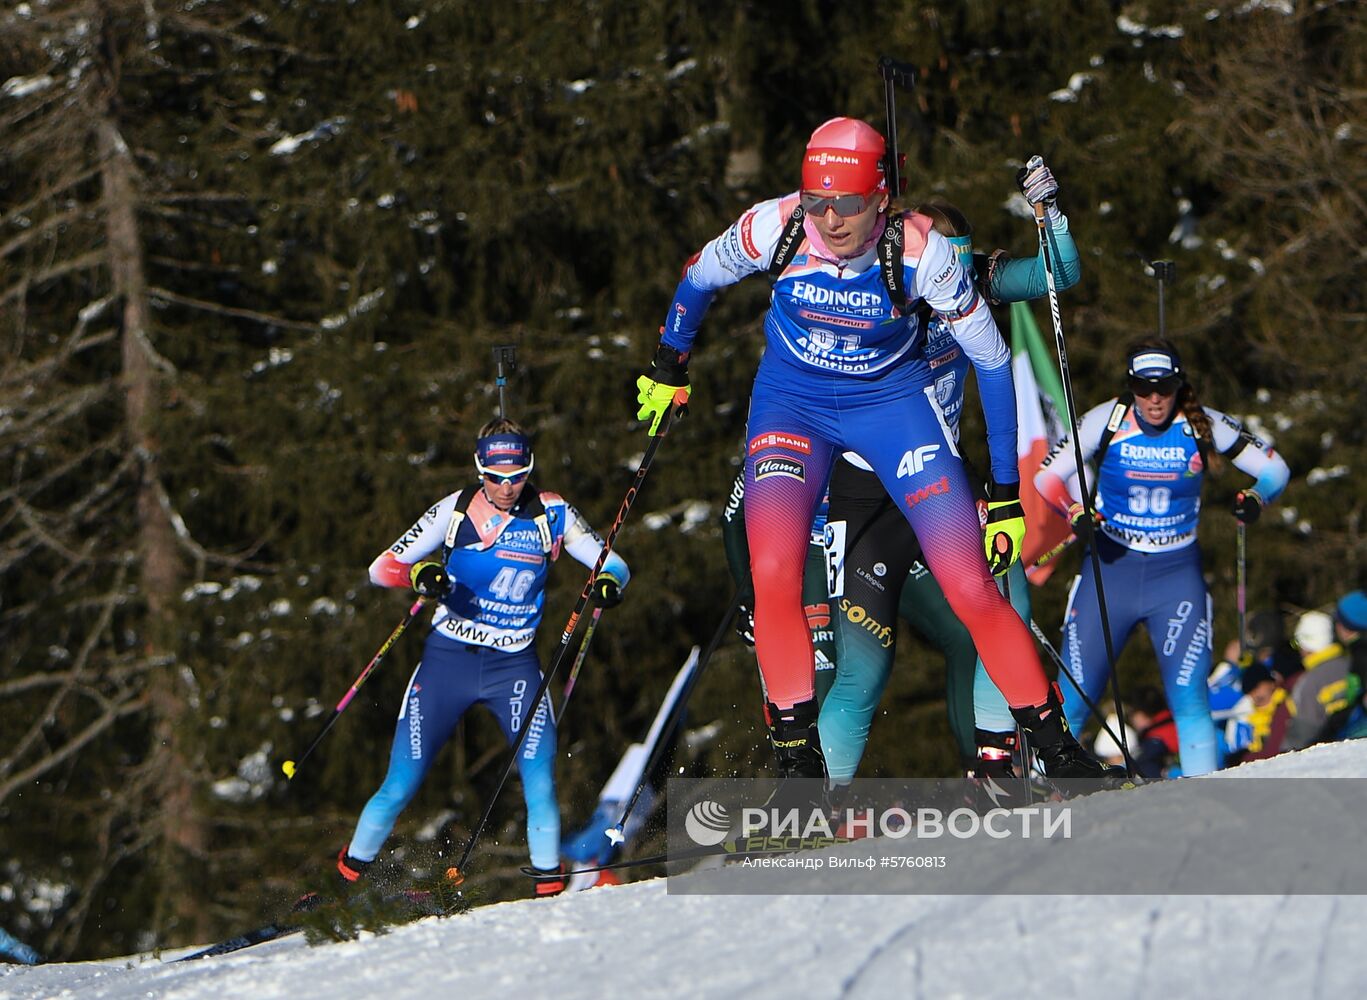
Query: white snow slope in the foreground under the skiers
{"x": 640, "y": 942}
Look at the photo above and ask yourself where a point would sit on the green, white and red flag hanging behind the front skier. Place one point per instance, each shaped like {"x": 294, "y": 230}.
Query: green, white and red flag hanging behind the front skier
{"x": 1041, "y": 421}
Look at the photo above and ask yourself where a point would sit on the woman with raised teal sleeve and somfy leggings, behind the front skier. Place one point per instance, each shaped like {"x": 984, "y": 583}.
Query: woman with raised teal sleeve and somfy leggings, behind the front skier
{"x": 878, "y": 569}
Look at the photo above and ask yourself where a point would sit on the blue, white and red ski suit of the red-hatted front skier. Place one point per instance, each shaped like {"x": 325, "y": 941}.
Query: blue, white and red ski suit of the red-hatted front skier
{"x": 845, "y": 370}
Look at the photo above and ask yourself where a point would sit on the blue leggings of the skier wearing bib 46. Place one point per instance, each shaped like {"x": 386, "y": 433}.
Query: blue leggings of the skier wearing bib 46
{"x": 452, "y": 678}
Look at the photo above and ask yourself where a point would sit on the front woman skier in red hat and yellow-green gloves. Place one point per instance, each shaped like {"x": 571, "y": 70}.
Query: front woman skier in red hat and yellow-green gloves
{"x": 845, "y": 370}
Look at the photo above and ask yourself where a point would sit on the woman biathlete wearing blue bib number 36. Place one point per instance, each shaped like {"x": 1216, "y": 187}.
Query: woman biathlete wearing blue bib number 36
{"x": 1152, "y": 449}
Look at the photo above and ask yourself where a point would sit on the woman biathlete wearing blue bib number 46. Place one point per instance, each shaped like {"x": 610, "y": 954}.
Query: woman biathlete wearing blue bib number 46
{"x": 494, "y": 544}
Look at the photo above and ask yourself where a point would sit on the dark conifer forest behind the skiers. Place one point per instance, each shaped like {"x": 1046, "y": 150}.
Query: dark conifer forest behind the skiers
{"x": 255, "y": 258}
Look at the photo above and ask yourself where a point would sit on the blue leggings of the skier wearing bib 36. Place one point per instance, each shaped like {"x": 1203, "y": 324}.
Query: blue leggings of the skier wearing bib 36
{"x": 1167, "y": 592}
